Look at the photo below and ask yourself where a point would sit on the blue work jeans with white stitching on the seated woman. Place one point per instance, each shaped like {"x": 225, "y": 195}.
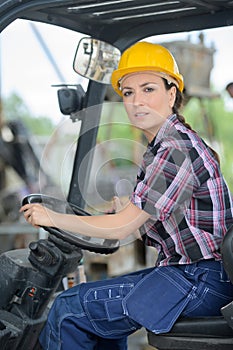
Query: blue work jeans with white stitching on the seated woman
{"x": 100, "y": 315}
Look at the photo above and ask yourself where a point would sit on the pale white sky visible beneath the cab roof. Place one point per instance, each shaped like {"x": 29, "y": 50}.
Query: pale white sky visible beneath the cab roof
{"x": 26, "y": 70}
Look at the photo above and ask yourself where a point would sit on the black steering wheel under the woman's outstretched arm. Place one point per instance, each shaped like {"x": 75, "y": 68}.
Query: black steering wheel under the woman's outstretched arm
{"x": 97, "y": 245}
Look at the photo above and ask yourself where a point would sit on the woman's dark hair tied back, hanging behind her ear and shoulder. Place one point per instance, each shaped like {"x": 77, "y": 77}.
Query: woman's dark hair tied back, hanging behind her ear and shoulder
{"x": 177, "y": 105}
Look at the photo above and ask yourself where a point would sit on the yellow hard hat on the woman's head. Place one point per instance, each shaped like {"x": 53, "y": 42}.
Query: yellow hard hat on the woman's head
{"x": 144, "y": 56}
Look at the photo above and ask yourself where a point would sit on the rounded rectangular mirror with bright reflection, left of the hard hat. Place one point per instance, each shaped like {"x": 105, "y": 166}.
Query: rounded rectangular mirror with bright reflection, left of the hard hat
{"x": 96, "y": 60}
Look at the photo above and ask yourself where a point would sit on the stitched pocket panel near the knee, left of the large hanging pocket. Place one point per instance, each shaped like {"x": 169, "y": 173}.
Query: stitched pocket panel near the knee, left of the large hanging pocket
{"x": 104, "y": 309}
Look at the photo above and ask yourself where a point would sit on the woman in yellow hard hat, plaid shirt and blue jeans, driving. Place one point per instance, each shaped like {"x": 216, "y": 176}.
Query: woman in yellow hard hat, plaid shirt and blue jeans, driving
{"x": 182, "y": 206}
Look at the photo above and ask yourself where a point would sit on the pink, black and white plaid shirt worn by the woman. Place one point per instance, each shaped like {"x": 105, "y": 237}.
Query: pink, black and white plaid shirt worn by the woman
{"x": 181, "y": 186}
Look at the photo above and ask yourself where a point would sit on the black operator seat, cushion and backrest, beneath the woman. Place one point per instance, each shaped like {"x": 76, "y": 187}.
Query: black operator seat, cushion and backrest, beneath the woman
{"x": 203, "y": 333}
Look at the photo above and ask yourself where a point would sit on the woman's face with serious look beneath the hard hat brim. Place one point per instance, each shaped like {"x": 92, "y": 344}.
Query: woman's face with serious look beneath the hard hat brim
{"x": 146, "y": 101}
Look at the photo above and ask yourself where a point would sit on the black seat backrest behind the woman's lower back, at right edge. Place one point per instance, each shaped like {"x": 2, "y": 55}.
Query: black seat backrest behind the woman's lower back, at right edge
{"x": 227, "y": 253}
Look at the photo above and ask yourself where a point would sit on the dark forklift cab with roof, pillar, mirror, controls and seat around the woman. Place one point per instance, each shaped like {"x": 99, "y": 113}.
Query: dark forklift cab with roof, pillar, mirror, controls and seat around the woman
{"x": 111, "y": 27}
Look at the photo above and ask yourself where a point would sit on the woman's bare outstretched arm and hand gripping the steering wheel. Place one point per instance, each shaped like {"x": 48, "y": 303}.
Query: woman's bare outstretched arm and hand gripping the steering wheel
{"x": 116, "y": 226}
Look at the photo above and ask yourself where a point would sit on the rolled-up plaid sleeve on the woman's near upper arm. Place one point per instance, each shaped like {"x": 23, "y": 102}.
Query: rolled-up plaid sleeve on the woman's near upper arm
{"x": 166, "y": 184}
